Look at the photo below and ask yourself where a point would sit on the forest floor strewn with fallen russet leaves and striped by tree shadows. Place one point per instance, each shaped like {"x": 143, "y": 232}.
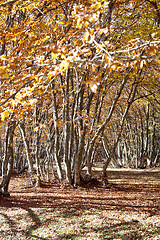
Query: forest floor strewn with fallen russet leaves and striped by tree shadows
{"x": 127, "y": 209}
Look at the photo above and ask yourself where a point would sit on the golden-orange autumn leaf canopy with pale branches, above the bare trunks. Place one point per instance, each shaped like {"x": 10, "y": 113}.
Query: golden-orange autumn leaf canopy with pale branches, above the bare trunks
{"x": 41, "y": 39}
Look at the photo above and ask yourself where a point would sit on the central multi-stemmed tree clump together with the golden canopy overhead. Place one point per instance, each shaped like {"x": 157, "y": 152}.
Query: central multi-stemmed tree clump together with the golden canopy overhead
{"x": 81, "y": 59}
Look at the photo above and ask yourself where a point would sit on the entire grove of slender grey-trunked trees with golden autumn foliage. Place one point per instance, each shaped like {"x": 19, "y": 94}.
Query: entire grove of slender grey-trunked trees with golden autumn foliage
{"x": 79, "y": 85}
